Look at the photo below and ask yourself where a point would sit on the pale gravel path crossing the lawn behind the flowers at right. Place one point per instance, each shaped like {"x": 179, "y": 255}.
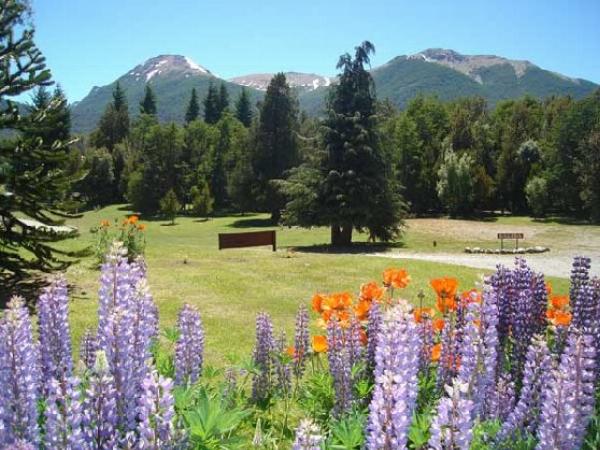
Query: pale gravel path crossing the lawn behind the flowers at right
{"x": 558, "y": 265}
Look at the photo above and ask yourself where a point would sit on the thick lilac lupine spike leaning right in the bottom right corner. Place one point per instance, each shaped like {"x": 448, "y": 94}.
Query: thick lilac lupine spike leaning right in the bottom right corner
{"x": 568, "y": 399}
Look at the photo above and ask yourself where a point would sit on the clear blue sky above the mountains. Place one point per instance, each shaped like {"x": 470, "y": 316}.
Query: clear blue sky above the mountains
{"x": 88, "y": 42}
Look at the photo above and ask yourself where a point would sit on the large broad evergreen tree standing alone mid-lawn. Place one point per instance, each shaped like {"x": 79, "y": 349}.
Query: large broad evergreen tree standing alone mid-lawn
{"x": 351, "y": 186}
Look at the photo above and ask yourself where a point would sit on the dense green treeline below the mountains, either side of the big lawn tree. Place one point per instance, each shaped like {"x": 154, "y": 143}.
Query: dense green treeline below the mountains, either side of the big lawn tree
{"x": 524, "y": 156}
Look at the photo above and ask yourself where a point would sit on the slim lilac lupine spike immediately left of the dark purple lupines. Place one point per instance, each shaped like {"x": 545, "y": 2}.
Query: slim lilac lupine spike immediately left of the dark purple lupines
{"x": 491, "y": 346}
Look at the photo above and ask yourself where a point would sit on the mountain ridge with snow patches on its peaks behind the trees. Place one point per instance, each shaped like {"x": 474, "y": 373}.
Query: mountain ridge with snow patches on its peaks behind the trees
{"x": 445, "y": 73}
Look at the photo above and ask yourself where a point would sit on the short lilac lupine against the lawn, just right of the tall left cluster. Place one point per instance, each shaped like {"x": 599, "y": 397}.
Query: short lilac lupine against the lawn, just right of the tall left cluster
{"x": 189, "y": 349}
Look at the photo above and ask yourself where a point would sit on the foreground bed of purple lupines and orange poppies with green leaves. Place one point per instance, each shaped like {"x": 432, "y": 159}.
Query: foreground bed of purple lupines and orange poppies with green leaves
{"x": 507, "y": 366}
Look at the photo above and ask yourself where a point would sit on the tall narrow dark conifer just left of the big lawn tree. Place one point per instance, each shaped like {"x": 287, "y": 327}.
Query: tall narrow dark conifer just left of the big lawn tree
{"x": 276, "y": 146}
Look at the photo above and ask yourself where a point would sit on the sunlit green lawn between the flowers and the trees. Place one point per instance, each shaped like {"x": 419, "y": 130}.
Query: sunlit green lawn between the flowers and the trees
{"x": 231, "y": 286}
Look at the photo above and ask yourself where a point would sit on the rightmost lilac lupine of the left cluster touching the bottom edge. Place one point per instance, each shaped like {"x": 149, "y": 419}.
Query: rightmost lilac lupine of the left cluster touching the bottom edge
{"x": 155, "y": 413}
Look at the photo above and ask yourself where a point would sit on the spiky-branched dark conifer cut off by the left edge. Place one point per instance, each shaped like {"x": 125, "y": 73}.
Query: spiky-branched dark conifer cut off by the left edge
{"x": 32, "y": 179}
